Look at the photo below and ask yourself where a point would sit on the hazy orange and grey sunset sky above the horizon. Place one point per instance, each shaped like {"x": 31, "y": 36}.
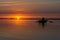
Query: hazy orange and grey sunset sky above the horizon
{"x": 42, "y": 8}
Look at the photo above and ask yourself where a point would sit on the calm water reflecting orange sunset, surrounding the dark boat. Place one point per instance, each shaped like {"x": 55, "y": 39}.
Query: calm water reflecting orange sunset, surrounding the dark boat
{"x": 28, "y": 30}
